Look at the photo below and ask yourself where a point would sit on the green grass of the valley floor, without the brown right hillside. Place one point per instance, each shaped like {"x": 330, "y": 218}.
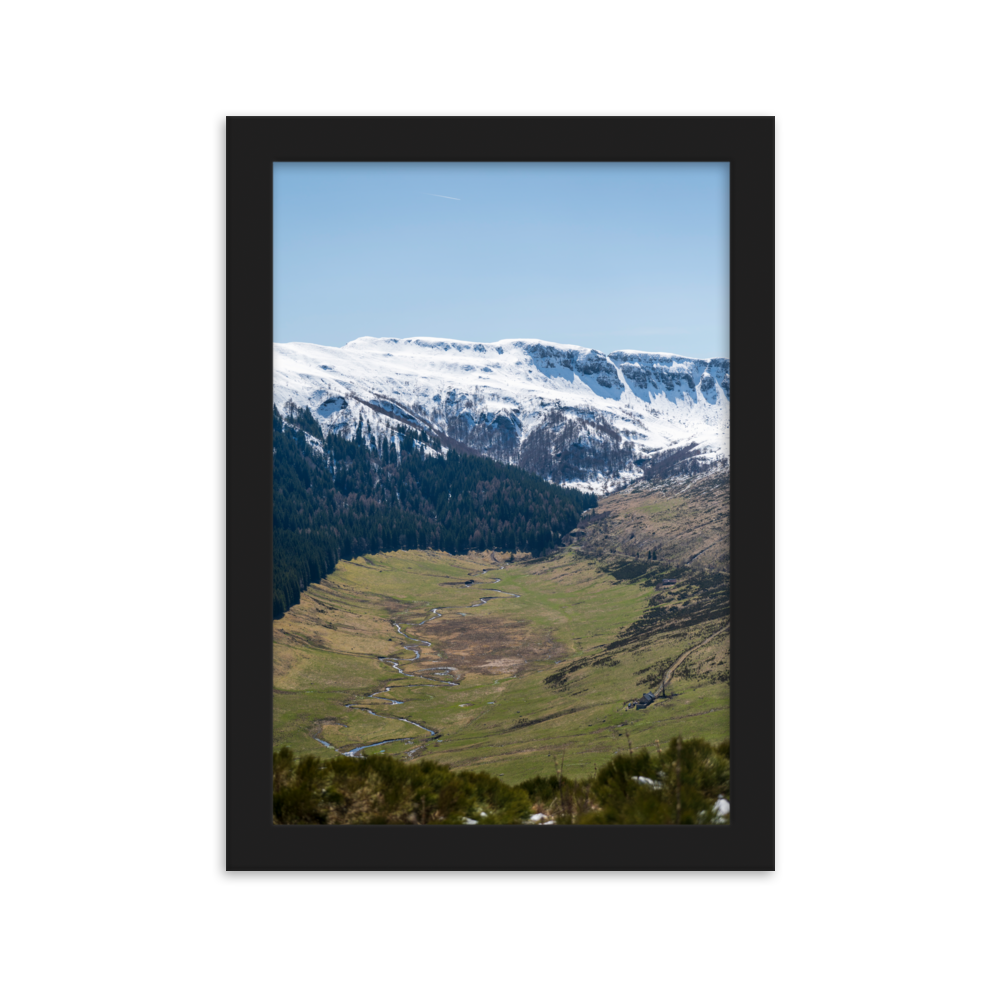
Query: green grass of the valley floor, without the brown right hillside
{"x": 569, "y": 608}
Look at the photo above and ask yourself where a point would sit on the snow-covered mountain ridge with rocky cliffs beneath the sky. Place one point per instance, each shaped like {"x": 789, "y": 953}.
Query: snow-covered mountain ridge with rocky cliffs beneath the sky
{"x": 574, "y": 415}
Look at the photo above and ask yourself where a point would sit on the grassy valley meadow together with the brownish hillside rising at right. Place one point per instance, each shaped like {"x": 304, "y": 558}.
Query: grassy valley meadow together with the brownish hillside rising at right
{"x": 541, "y": 678}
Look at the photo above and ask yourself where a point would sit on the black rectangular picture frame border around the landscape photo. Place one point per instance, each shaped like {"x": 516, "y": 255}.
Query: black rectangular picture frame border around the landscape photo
{"x": 254, "y": 843}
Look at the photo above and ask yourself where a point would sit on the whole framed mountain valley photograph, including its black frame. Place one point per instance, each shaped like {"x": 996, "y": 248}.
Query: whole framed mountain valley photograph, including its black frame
{"x": 497, "y": 492}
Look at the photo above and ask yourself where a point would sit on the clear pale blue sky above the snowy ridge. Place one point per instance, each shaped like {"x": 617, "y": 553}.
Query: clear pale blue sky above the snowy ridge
{"x": 602, "y": 255}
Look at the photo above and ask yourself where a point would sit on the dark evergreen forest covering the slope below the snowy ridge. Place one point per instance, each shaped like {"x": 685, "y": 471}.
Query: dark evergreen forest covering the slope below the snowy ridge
{"x": 364, "y": 495}
